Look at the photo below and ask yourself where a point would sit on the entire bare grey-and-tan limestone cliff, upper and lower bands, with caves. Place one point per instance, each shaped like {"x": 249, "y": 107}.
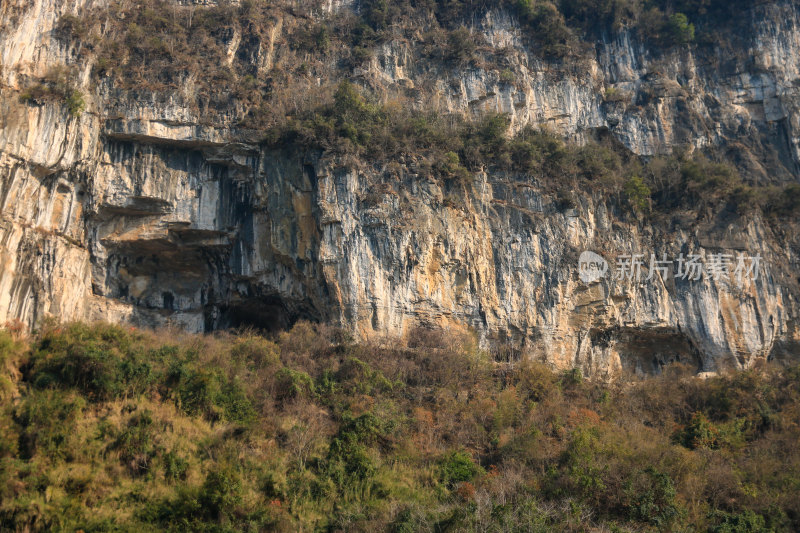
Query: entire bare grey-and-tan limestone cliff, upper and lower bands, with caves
{"x": 141, "y": 211}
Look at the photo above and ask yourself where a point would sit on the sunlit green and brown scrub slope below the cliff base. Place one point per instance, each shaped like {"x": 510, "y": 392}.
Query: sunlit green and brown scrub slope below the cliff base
{"x": 105, "y": 428}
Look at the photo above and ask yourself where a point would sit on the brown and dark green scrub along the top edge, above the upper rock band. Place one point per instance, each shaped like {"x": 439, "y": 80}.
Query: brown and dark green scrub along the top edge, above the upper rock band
{"x": 159, "y": 45}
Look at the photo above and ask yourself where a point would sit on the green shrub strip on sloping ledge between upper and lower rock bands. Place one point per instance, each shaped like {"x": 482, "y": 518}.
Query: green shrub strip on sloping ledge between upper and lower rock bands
{"x": 453, "y": 148}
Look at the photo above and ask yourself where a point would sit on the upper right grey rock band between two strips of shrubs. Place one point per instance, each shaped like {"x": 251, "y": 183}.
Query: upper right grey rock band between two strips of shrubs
{"x": 652, "y": 100}
